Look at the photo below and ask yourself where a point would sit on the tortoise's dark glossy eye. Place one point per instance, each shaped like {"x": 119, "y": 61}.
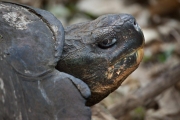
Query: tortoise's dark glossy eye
{"x": 107, "y": 43}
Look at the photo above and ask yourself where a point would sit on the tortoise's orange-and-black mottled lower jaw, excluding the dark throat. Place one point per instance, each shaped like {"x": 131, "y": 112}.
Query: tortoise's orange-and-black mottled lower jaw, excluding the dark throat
{"x": 117, "y": 72}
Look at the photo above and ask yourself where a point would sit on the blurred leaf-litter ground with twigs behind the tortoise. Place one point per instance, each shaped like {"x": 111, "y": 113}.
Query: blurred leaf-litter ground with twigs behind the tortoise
{"x": 160, "y": 22}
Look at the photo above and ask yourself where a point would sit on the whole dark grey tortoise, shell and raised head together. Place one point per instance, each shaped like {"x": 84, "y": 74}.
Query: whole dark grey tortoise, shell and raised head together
{"x": 51, "y": 73}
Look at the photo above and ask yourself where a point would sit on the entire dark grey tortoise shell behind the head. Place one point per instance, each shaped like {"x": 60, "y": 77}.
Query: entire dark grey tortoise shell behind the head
{"x": 31, "y": 43}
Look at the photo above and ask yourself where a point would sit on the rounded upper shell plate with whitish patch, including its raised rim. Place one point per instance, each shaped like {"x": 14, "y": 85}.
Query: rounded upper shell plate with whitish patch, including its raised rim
{"x": 34, "y": 39}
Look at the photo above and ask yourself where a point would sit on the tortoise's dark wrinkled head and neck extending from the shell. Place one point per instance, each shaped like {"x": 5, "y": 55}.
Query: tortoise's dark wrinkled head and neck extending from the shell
{"x": 102, "y": 52}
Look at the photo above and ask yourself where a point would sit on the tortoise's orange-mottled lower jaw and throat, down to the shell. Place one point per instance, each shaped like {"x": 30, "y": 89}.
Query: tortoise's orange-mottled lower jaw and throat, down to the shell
{"x": 115, "y": 75}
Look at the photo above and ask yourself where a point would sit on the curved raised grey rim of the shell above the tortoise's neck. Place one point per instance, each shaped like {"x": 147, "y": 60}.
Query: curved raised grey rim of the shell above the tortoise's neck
{"x": 55, "y": 27}
